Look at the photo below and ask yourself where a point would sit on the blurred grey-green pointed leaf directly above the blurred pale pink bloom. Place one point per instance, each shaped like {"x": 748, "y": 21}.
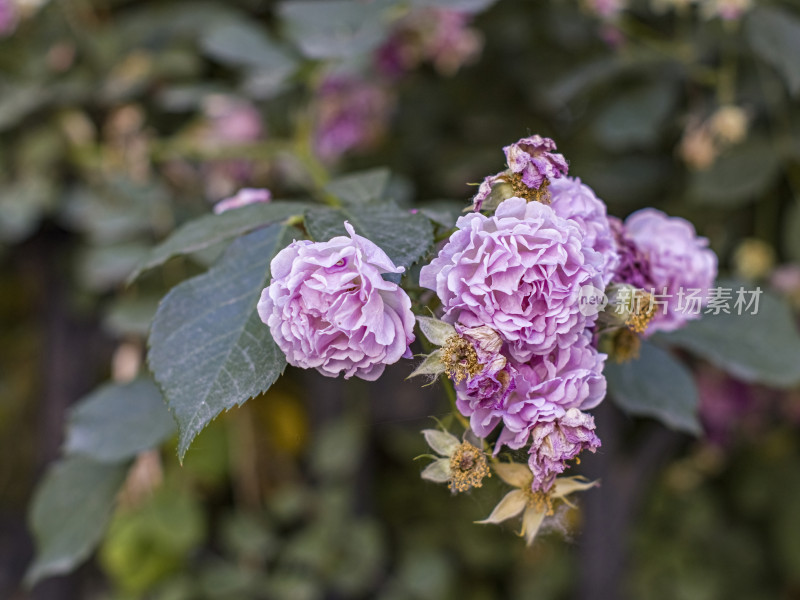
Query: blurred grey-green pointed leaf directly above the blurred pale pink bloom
{"x": 243, "y": 44}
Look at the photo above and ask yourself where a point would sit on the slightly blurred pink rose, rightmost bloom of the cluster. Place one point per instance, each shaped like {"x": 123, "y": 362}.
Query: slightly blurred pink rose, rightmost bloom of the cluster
{"x": 680, "y": 265}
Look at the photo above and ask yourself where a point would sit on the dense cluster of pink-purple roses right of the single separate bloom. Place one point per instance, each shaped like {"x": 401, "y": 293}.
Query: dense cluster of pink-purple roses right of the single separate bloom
{"x": 519, "y": 273}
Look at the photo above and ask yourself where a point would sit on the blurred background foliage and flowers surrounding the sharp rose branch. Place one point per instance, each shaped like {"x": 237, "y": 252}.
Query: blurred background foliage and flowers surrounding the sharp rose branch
{"x": 120, "y": 120}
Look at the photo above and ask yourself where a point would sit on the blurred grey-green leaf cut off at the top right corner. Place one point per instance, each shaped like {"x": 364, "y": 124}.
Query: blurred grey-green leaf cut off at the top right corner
{"x": 774, "y": 35}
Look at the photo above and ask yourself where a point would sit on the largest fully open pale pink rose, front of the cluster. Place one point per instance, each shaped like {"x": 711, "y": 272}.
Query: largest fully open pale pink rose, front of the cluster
{"x": 519, "y": 272}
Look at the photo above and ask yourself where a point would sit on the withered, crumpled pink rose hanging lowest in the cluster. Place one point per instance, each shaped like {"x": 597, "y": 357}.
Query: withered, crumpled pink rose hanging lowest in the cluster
{"x": 557, "y": 441}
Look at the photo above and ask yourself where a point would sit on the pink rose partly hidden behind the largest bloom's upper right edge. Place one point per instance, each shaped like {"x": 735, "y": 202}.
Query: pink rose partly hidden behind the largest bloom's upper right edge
{"x": 574, "y": 200}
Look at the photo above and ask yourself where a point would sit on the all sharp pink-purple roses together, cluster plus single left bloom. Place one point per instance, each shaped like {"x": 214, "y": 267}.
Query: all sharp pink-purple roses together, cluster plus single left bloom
{"x": 523, "y": 357}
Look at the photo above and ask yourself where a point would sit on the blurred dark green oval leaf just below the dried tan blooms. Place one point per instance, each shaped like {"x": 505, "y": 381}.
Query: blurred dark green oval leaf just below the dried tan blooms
{"x": 736, "y": 177}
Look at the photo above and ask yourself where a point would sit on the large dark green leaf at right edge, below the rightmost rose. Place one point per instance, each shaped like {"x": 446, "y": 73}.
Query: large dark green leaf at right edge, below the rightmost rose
{"x": 762, "y": 348}
